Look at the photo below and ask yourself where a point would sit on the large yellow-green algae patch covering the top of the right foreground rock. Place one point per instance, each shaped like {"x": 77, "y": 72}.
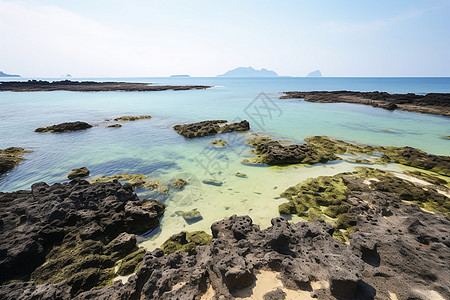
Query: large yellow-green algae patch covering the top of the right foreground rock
{"x": 332, "y": 198}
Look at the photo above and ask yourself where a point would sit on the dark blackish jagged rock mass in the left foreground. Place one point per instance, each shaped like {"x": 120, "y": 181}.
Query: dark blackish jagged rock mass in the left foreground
{"x": 73, "y": 232}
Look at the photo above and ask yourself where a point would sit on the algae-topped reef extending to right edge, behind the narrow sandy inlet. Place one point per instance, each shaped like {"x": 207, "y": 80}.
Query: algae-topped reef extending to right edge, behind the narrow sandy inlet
{"x": 321, "y": 149}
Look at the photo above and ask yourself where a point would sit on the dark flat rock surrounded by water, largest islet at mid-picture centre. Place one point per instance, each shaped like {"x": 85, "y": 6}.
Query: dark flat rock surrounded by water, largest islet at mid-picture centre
{"x": 206, "y": 128}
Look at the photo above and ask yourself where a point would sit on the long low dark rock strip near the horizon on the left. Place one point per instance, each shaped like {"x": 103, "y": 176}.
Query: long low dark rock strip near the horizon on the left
{"x": 90, "y": 86}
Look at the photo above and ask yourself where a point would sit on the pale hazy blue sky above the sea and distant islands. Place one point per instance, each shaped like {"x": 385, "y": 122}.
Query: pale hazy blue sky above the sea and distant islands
{"x": 146, "y": 38}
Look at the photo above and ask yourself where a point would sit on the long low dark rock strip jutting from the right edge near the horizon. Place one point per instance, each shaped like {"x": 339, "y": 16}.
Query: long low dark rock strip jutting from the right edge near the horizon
{"x": 432, "y": 103}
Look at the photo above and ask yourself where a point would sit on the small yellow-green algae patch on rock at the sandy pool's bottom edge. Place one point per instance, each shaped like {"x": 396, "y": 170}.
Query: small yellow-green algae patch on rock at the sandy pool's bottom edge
{"x": 186, "y": 241}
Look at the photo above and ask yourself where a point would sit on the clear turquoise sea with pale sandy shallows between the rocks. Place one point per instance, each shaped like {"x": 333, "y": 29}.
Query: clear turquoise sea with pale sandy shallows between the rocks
{"x": 153, "y": 148}
